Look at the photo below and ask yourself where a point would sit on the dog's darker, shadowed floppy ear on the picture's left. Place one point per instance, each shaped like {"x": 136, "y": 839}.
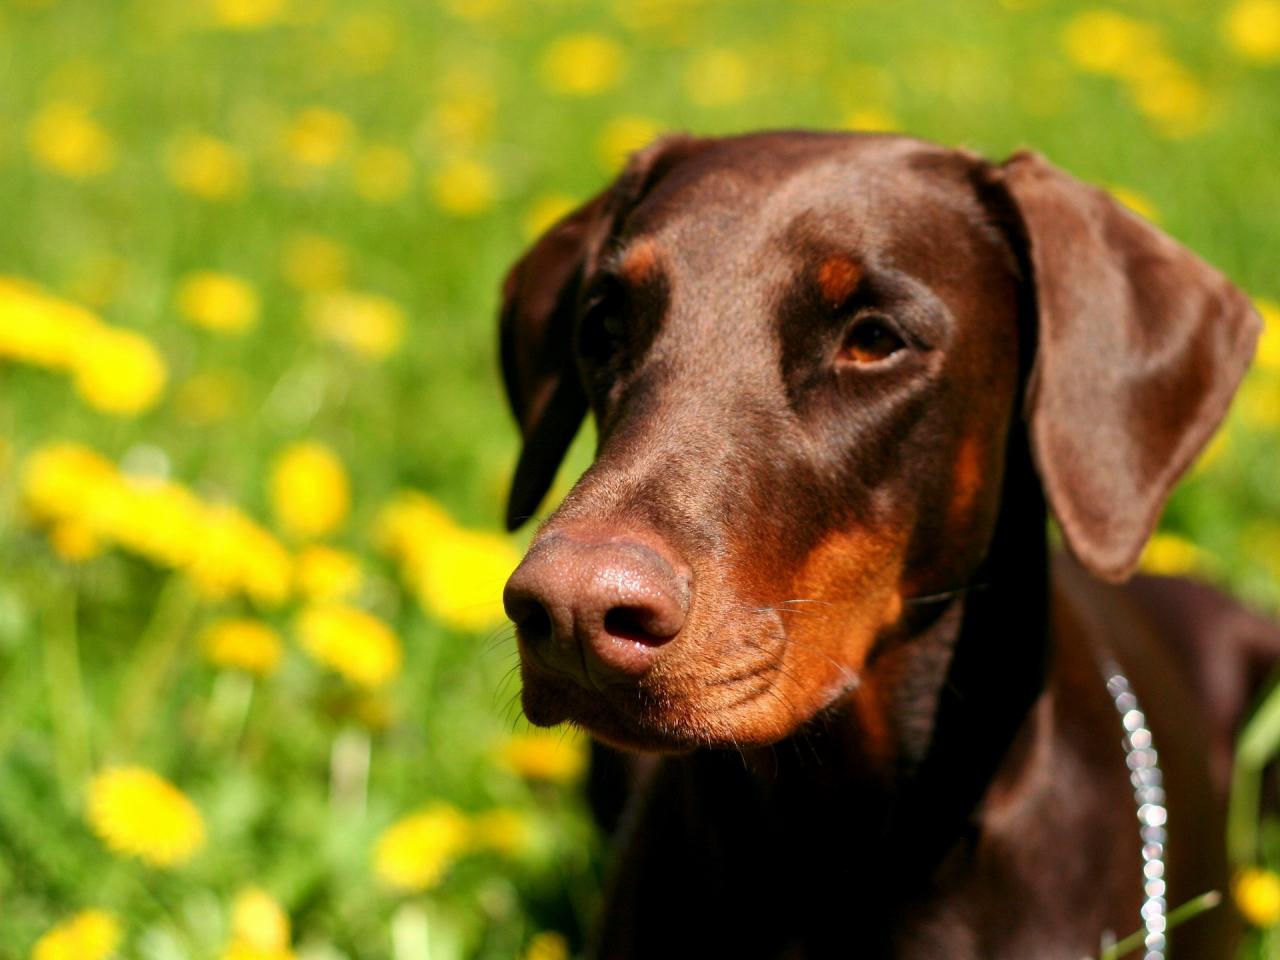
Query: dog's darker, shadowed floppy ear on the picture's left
{"x": 540, "y": 312}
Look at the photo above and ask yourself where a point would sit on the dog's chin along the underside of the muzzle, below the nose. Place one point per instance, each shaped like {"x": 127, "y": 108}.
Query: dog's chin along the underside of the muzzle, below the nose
{"x": 633, "y": 721}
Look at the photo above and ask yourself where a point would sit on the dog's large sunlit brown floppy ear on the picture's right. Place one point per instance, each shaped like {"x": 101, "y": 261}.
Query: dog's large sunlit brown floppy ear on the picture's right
{"x": 1140, "y": 349}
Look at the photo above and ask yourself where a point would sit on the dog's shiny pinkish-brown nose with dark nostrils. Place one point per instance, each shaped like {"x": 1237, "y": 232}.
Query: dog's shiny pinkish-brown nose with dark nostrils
{"x": 598, "y": 610}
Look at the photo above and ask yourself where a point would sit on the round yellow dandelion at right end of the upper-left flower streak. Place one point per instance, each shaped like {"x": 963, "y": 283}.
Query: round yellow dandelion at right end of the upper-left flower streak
{"x": 118, "y": 372}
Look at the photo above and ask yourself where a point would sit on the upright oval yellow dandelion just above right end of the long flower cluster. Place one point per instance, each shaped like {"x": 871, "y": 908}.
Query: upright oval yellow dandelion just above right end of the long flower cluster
{"x": 309, "y": 490}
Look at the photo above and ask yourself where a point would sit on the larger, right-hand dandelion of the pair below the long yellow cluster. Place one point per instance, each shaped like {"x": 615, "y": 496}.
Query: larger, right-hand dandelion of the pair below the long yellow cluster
{"x": 350, "y": 642}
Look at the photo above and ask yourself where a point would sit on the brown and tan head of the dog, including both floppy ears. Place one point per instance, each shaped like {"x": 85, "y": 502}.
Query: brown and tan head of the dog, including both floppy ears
{"x": 806, "y": 355}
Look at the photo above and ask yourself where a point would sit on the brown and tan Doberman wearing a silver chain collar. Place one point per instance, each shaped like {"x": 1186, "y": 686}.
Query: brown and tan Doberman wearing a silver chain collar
{"x": 836, "y": 380}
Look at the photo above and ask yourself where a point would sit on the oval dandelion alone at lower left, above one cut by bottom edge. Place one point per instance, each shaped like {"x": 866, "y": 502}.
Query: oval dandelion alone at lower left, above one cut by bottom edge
{"x": 140, "y": 815}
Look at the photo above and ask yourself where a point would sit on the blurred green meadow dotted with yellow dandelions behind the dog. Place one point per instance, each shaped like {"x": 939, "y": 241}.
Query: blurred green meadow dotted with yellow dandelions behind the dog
{"x": 257, "y": 694}
